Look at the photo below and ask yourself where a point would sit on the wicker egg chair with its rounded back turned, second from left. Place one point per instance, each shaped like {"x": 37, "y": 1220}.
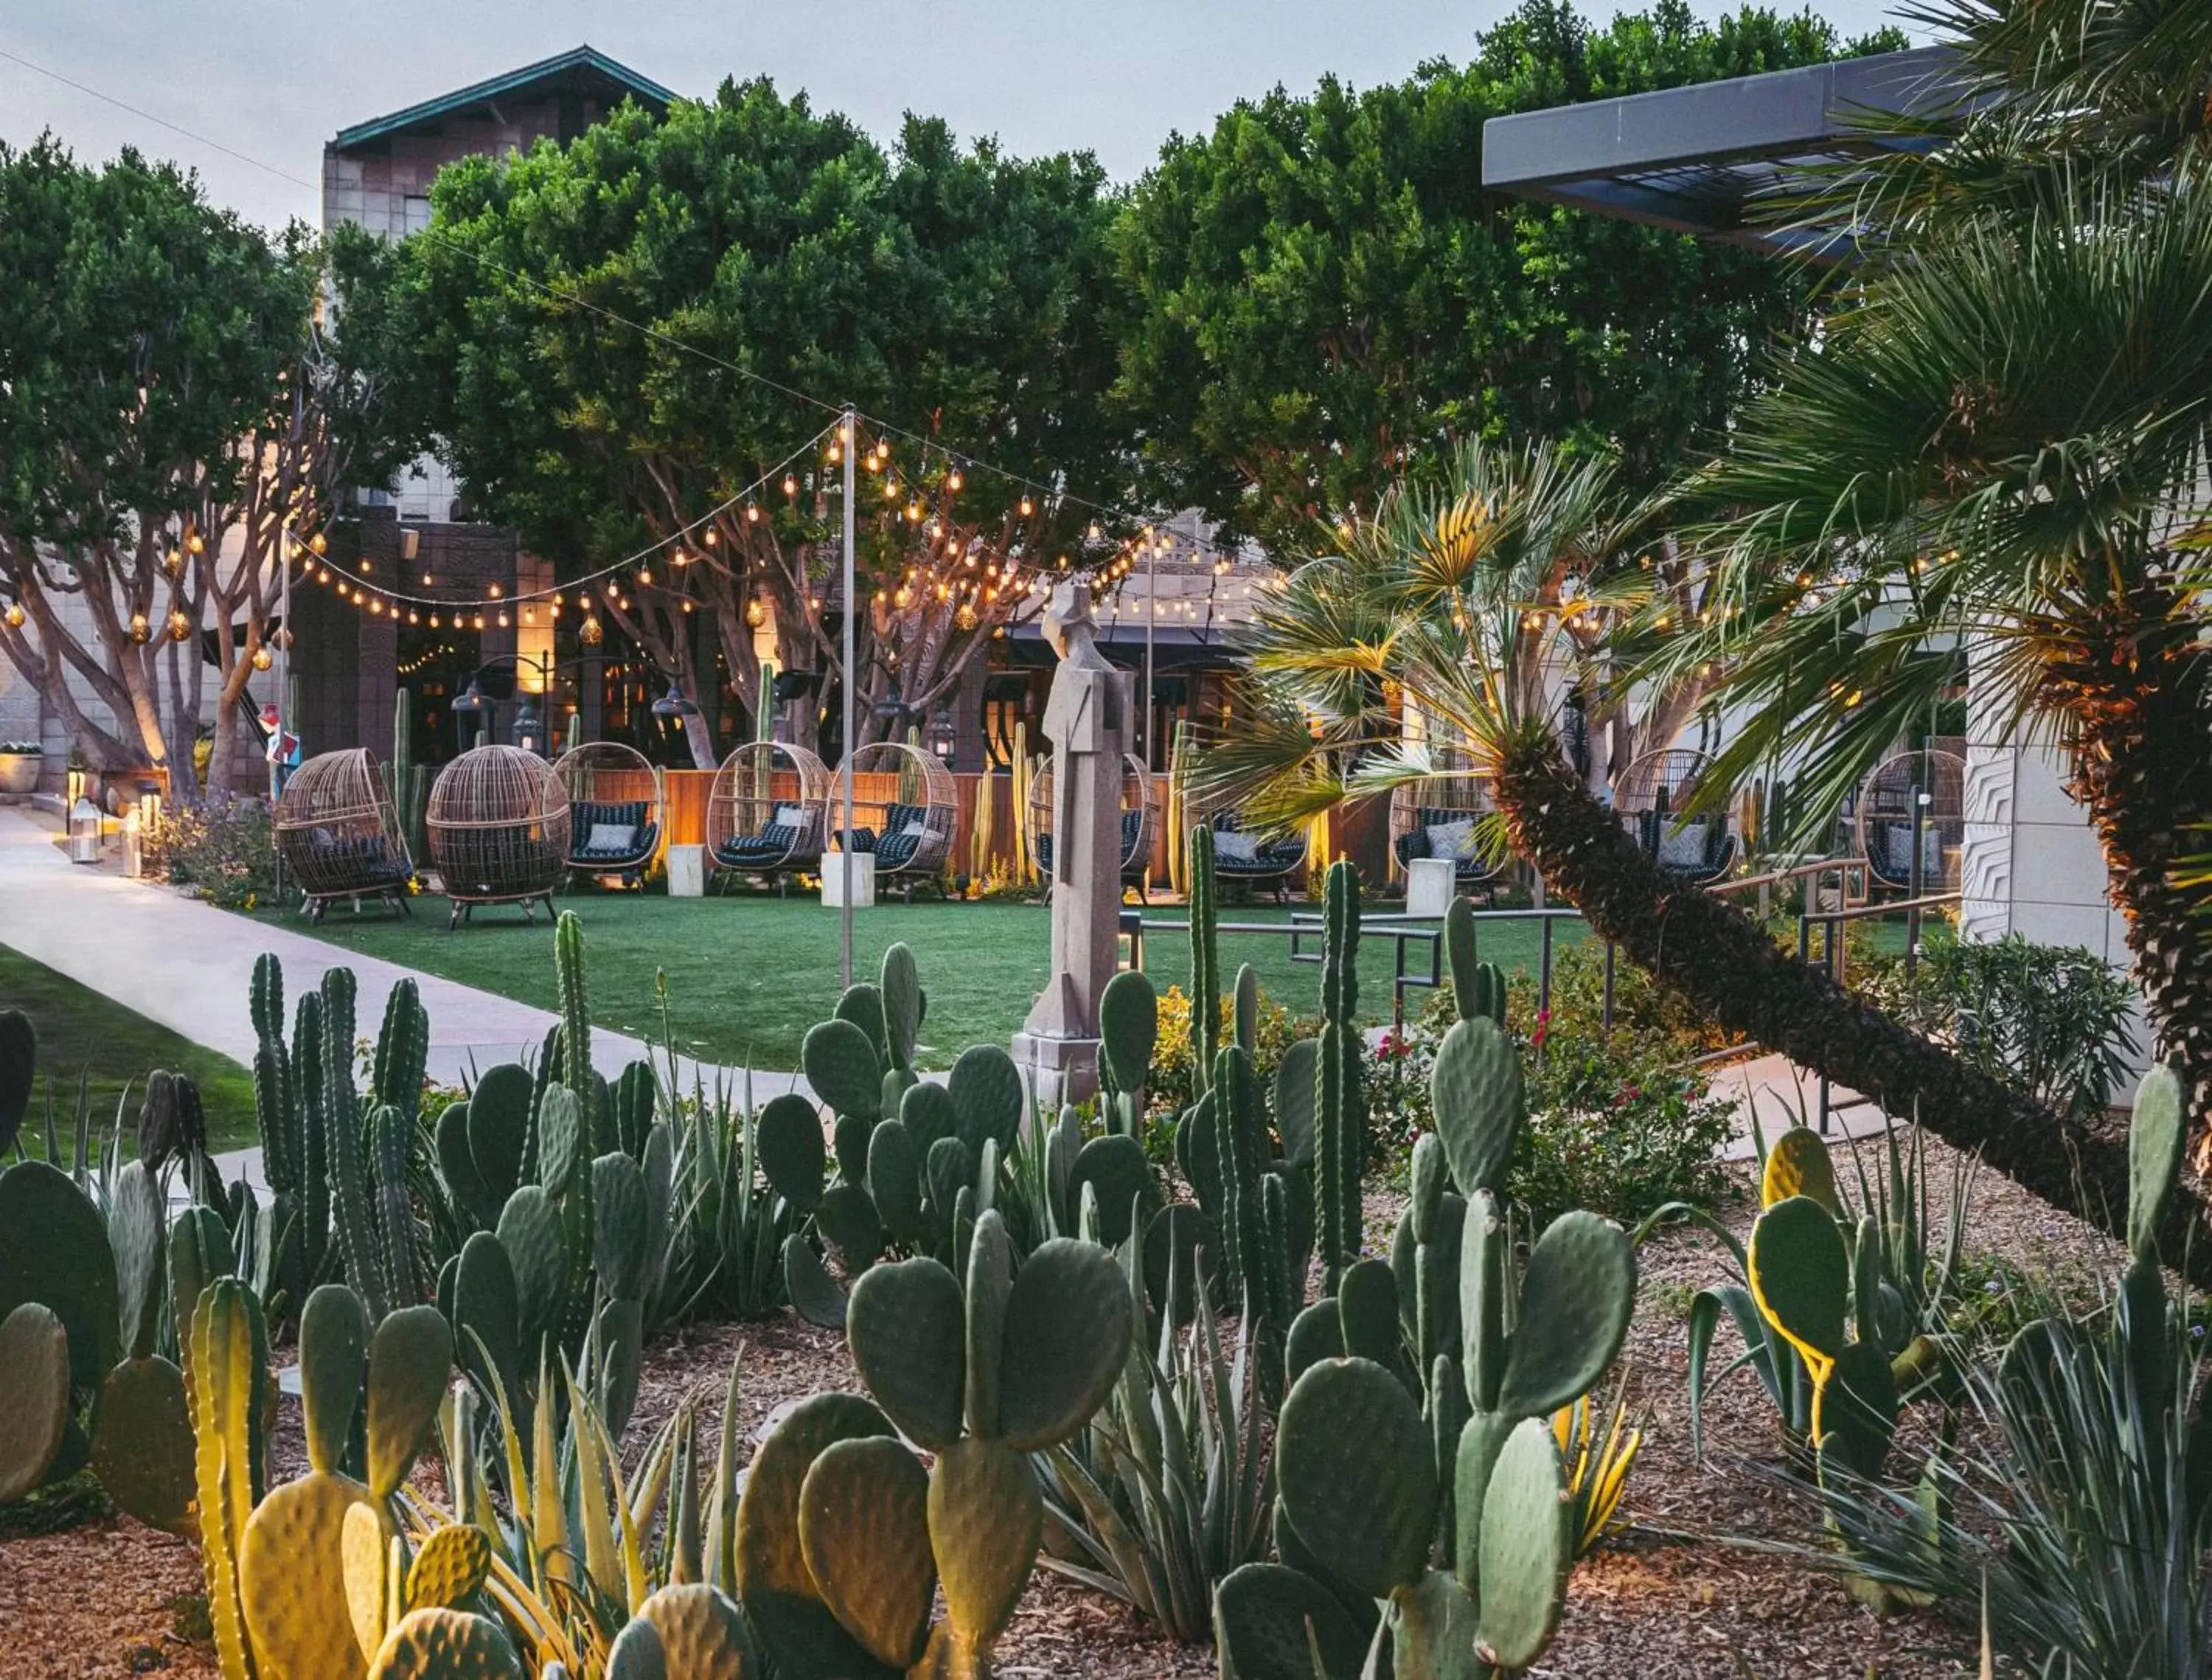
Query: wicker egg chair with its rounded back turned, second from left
{"x": 499, "y": 831}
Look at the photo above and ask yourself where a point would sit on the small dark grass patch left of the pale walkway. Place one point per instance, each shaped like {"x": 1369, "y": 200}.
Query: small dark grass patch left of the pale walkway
{"x": 83, "y": 1033}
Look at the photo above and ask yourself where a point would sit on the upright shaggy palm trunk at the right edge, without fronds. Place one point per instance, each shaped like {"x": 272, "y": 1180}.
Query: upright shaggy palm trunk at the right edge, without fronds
{"x": 2145, "y": 776}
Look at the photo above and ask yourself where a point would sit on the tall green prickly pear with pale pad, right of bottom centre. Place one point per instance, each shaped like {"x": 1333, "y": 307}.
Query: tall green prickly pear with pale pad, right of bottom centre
{"x": 1419, "y": 1418}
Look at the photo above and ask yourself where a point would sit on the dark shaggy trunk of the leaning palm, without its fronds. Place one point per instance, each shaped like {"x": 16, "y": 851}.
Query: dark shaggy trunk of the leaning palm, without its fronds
{"x": 1733, "y": 971}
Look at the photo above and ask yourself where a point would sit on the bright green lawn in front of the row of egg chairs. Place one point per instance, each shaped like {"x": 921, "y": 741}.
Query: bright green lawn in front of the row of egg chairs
{"x": 749, "y": 975}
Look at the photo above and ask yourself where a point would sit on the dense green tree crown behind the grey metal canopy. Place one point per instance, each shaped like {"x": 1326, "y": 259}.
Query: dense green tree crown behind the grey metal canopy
{"x": 1324, "y": 298}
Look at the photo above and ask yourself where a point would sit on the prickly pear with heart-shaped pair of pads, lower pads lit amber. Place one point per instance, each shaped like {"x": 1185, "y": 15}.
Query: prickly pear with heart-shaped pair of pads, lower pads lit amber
{"x": 844, "y": 1542}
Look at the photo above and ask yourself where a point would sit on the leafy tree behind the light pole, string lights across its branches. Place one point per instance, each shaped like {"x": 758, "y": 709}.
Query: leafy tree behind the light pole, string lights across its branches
{"x": 769, "y": 249}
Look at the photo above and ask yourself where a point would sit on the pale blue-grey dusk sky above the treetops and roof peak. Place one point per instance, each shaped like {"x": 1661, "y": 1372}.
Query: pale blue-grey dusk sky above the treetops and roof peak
{"x": 275, "y": 81}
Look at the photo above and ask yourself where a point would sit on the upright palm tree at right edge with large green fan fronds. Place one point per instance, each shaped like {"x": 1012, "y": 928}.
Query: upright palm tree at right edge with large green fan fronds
{"x": 2001, "y": 446}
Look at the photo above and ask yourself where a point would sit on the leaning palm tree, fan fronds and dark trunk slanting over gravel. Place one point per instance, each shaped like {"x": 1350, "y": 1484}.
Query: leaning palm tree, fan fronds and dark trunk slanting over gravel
{"x": 1463, "y": 605}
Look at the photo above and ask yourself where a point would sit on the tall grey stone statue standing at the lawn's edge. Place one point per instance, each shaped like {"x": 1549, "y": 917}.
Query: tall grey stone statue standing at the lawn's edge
{"x": 1087, "y": 720}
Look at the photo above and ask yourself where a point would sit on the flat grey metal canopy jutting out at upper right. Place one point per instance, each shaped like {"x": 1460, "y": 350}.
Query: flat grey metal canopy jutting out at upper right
{"x": 1704, "y": 158}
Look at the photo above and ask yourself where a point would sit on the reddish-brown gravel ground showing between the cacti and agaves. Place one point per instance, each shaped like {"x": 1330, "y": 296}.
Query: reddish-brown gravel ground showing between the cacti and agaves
{"x": 1669, "y": 1599}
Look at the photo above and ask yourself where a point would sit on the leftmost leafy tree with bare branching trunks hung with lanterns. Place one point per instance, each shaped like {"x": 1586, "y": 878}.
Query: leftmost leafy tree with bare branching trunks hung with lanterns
{"x": 167, "y": 411}
